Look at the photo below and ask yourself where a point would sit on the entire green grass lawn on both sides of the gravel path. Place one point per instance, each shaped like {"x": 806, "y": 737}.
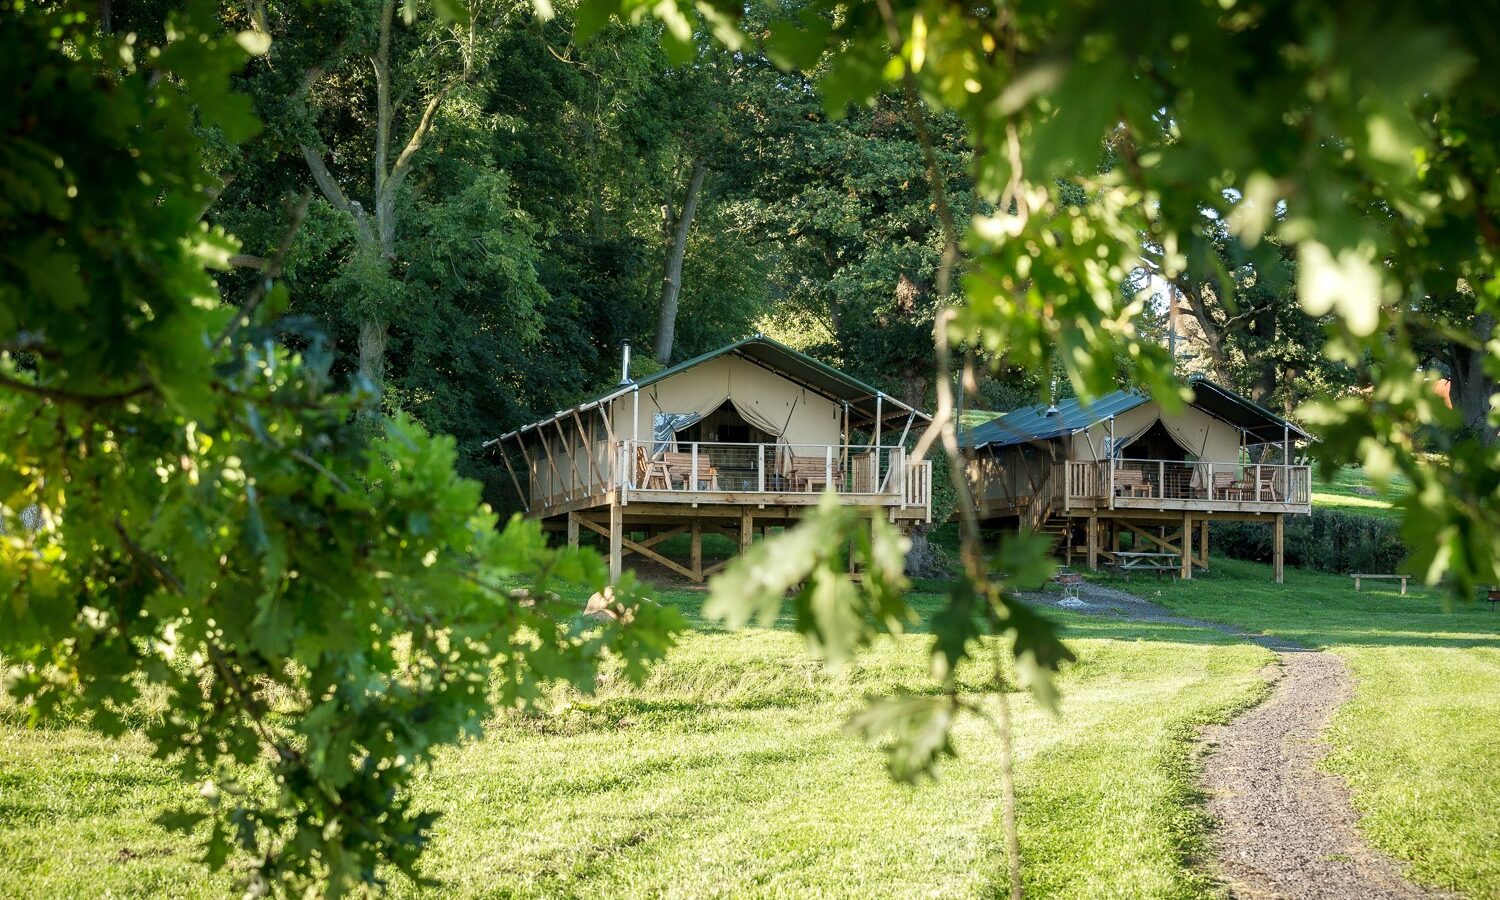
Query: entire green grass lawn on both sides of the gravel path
{"x": 728, "y": 773}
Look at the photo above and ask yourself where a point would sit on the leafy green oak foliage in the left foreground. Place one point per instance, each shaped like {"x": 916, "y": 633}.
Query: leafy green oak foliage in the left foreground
{"x": 323, "y": 604}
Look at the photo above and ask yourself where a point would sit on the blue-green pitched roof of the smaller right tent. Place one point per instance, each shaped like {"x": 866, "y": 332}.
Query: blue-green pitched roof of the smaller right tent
{"x": 1066, "y": 418}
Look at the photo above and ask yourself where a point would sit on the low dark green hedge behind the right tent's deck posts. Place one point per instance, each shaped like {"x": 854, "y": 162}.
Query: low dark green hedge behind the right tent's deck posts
{"x": 1328, "y": 541}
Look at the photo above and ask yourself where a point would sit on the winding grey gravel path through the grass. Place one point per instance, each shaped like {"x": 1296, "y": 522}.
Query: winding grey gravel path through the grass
{"x": 1286, "y": 830}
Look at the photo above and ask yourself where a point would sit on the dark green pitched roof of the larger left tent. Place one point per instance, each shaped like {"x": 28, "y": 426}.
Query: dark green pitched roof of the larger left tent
{"x": 784, "y": 361}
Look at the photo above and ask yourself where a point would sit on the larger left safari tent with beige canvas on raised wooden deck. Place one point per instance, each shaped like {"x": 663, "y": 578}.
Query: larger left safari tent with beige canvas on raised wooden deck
{"x": 748, "y": 436}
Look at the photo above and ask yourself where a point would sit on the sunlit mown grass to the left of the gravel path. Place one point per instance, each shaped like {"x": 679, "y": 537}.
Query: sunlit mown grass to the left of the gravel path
{"x": 727, "y": 773}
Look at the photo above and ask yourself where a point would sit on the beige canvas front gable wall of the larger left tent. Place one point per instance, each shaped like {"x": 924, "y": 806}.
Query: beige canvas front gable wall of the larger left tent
{"x": 764, "y": 398}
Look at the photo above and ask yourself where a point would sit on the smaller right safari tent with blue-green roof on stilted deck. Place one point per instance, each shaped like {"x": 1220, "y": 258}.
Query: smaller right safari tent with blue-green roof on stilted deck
{"x": 1129, "y": 464}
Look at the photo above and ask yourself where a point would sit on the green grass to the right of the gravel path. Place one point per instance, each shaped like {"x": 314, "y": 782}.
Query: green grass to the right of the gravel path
{"x": 1420, "y": 745}
